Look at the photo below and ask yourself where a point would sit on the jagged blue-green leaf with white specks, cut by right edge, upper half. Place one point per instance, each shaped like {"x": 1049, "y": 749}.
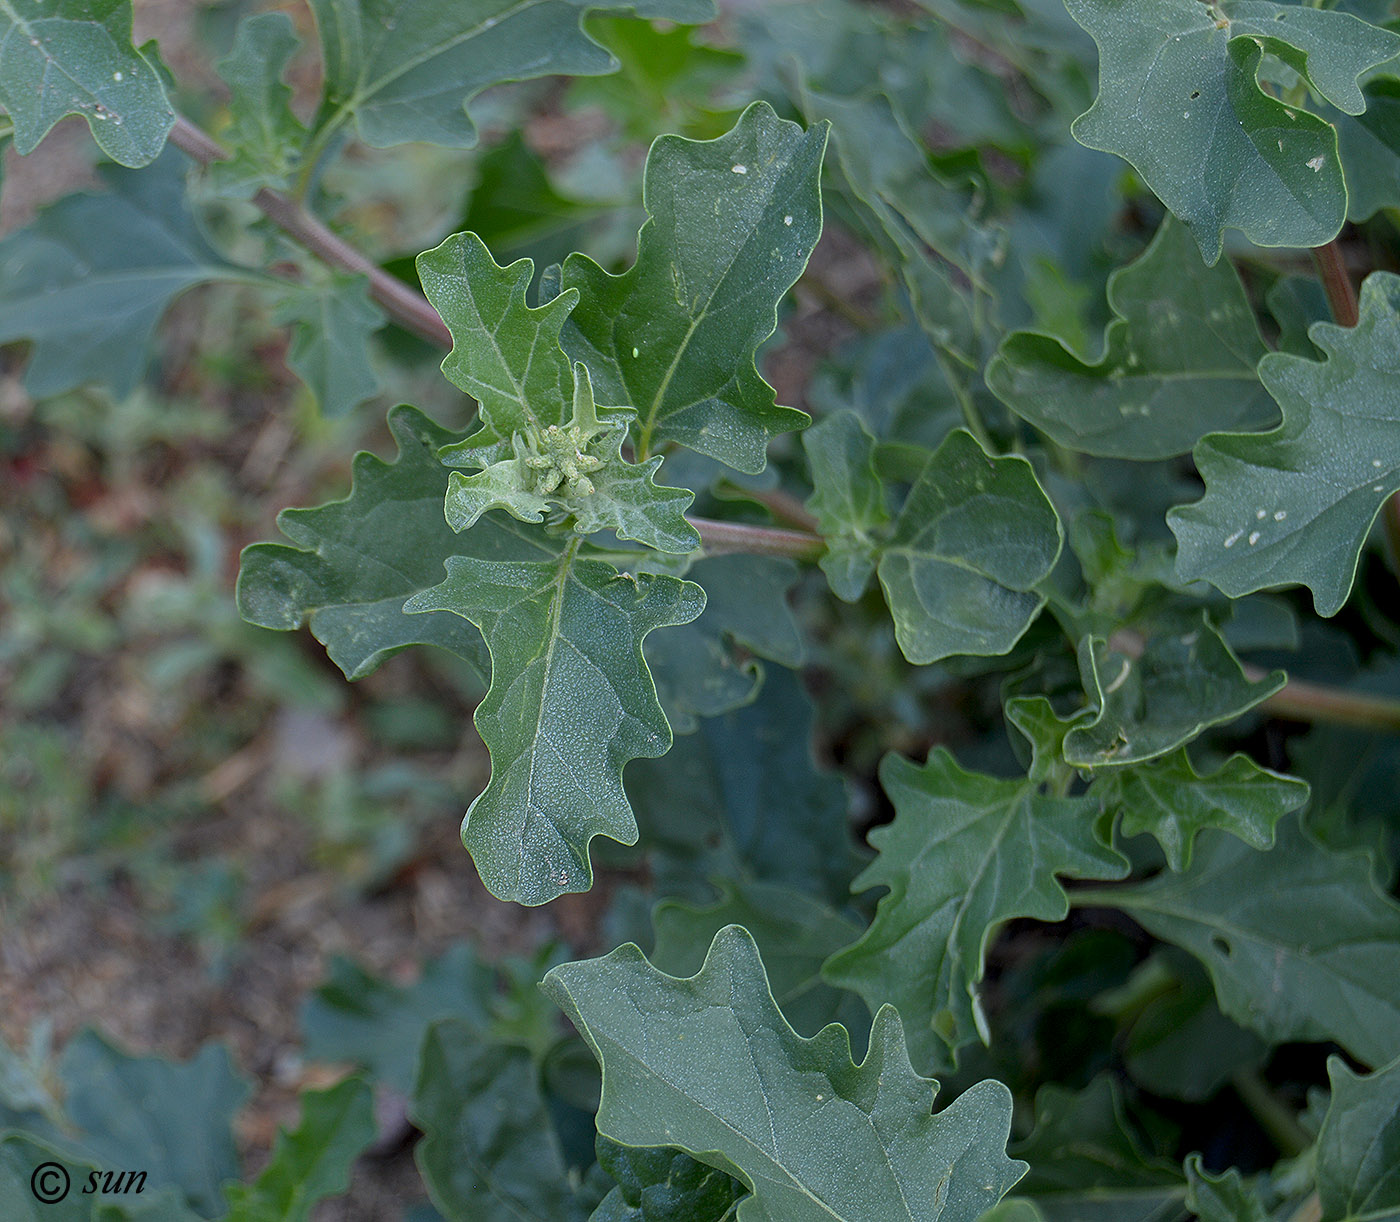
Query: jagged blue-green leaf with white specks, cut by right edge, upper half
{"x": 1294, "y": 506}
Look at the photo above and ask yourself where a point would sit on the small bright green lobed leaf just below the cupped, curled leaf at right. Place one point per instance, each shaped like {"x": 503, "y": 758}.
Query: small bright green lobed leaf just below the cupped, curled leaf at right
{"x": 1171, "y": 801}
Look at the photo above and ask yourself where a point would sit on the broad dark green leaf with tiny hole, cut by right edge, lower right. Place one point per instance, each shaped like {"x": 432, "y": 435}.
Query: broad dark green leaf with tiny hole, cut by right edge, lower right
{"x": 1298, "y": 941}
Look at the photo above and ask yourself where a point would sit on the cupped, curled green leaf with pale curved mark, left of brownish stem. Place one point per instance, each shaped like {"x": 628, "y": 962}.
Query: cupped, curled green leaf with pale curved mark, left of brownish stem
{"x": 1153, "y": 702}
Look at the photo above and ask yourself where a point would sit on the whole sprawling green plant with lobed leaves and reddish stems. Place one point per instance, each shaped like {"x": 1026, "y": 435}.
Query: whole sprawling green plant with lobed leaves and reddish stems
{"x": 1105, "y": 404}
